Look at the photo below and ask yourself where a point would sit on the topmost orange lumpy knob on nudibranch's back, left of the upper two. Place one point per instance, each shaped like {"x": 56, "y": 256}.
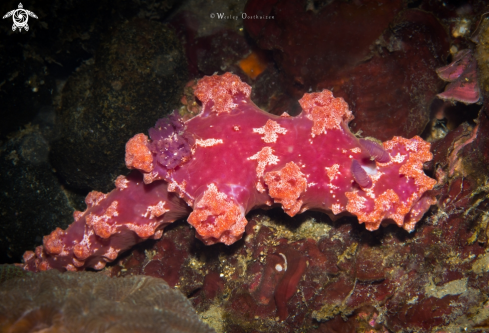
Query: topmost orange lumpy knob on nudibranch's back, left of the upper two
{"x": 220, "y": 90}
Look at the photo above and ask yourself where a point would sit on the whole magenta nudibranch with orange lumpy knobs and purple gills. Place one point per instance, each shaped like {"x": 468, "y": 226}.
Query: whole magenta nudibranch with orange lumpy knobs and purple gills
{"x": 234, "y": 157}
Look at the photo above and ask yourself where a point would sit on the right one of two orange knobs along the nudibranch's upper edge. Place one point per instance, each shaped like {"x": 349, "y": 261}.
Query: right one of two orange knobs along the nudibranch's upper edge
{"x": 326, "y": 111}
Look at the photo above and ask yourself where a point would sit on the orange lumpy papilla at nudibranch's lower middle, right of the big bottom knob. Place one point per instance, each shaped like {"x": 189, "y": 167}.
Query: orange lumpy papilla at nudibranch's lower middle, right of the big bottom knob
{"x": 285, "y": 186}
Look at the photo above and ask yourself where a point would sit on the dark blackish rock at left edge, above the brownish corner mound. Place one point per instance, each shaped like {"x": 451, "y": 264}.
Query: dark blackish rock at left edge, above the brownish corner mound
{"x": 31, "y": 200}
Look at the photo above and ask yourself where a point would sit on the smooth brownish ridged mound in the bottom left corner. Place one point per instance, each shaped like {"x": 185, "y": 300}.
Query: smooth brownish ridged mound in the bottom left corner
{"x": 90, "y": 302}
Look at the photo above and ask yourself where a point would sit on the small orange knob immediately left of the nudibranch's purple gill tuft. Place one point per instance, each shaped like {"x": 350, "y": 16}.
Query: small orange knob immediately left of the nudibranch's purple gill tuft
{"x": 138, "y": 155}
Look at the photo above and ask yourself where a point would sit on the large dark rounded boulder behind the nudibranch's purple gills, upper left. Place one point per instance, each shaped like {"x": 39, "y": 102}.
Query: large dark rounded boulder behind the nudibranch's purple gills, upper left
{"x": 137, "y": 75}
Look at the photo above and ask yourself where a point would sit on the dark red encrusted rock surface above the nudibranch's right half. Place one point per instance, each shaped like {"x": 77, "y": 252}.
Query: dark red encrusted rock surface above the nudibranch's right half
{"x": 386, "y": 74}
